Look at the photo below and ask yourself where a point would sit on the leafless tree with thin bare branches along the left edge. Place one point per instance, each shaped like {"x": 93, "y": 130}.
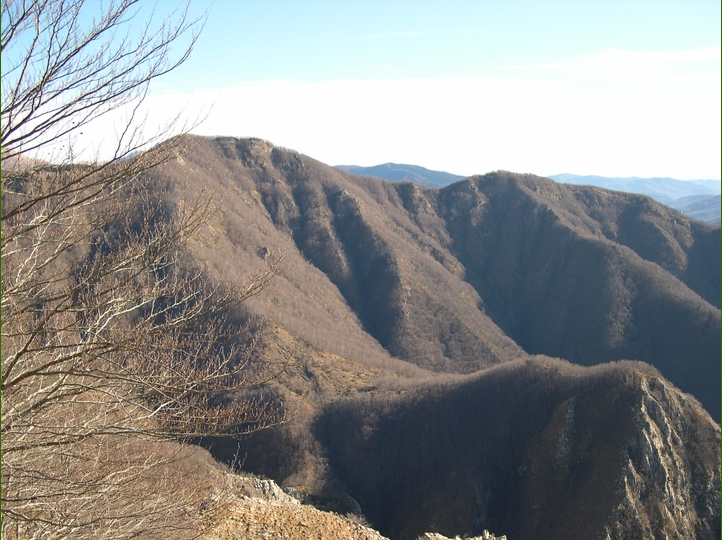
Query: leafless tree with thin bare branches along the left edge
{"x": 113, "y": 347}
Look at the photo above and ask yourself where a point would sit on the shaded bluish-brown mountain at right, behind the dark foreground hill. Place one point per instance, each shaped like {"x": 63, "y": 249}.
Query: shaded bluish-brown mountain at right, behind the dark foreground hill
{"x": 554, "y": 279}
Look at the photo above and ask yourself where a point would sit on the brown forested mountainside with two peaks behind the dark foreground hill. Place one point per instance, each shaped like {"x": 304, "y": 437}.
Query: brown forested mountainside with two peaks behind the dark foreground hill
{"x": 468, "y": 276}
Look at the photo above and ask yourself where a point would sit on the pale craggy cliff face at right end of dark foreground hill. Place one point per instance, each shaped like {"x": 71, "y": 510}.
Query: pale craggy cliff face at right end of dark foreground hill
{"x": 666, "y": 493}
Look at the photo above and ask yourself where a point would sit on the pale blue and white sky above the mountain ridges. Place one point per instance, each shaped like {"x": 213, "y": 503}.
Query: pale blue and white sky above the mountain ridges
{"x": 610, "y": 88}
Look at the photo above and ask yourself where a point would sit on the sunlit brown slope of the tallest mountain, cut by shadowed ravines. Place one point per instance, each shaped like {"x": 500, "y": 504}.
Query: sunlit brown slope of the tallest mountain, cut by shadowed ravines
{"x": 352, "y": 261}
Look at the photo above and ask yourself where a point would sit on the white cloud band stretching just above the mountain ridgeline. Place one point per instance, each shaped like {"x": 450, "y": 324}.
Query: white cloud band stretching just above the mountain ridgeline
{"x": 470, "y": 125}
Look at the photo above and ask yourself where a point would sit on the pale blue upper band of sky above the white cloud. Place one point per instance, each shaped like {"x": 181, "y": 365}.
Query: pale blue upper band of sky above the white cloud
{"x": 314, "y": 40}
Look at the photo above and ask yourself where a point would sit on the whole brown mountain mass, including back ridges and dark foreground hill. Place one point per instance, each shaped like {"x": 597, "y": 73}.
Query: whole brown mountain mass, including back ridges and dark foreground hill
{"x": 413, "y": 327}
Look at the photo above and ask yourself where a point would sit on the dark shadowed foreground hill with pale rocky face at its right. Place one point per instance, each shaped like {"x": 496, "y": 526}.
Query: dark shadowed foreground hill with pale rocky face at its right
{"x": 537, "y": 449}
